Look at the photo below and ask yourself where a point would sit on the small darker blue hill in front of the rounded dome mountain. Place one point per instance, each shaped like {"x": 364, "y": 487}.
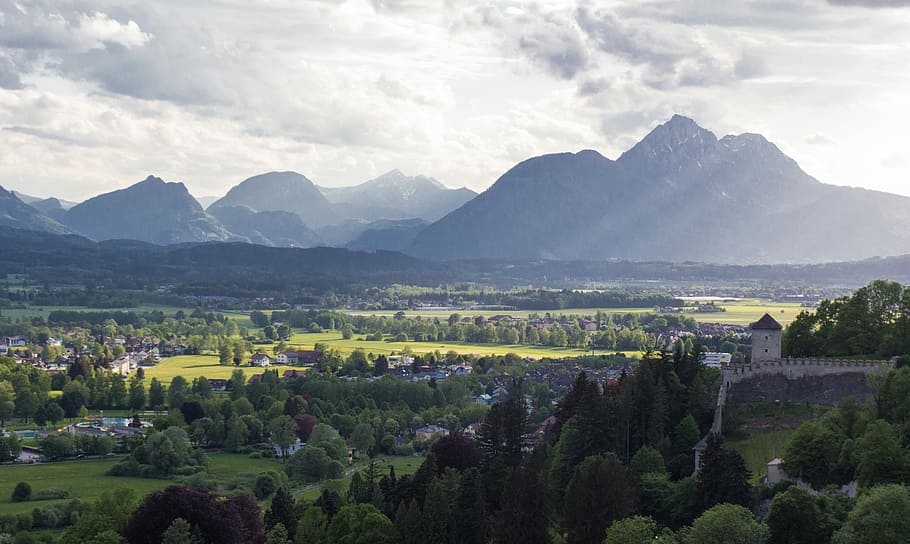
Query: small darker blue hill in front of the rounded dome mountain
{"x": 276, "y": 228}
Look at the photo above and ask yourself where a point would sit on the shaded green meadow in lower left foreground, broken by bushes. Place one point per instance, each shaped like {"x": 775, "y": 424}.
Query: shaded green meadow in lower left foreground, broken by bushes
{"x": 87, "y": 479}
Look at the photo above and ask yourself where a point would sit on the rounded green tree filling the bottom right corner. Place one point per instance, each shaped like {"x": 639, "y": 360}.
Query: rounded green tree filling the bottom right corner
{"x": 881, "y": 516}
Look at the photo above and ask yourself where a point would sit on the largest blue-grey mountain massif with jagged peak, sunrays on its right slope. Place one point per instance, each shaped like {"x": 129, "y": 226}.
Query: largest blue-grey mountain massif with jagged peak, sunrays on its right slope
{"x": 679, "y": 194}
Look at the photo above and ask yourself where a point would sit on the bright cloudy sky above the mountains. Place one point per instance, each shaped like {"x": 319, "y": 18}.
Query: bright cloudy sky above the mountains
{"x": 96, "y": 95}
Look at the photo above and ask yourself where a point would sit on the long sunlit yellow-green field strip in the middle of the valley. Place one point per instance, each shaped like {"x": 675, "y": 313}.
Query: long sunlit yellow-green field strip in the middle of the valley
{"x": 334, "y": 340}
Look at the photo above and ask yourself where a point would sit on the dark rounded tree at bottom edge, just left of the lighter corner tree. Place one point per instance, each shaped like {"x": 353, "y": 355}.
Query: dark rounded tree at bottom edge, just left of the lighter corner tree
{"x": 795, "y": 518}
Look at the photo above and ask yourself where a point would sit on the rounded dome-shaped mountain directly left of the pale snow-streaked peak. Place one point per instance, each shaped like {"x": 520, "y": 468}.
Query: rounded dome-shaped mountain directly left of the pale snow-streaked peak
{"x": 281, "y": 191}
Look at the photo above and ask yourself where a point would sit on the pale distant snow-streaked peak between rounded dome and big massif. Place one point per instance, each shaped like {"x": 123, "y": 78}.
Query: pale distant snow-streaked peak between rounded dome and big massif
{"x": 394, "y": 195}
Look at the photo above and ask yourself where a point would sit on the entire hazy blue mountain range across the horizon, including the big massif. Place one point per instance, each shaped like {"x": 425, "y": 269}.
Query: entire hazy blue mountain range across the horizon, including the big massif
{"x": 680, "y": 194}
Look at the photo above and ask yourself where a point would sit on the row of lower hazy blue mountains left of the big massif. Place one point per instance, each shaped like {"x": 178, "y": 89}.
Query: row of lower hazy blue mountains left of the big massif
{"x": 283, "y": 209}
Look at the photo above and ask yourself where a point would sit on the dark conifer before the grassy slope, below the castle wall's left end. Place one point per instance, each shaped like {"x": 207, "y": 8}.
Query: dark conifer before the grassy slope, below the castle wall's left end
{"x": 723, "y": 477}
